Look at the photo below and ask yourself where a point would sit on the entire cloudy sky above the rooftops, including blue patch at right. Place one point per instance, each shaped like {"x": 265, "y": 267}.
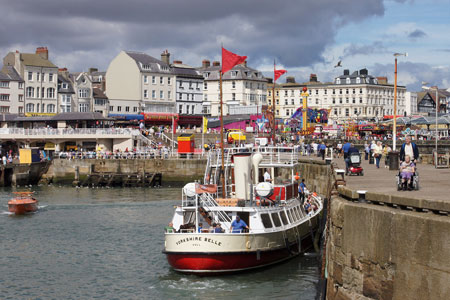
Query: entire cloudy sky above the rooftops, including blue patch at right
{"x": 303, "y": 36}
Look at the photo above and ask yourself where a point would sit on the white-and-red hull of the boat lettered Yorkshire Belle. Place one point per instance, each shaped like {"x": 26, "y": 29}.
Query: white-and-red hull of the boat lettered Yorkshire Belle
{"x": 239, "y": 251}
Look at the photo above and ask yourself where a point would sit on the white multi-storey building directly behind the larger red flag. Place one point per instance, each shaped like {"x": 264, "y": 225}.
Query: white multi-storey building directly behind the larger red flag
{"x": 242, "y": 87}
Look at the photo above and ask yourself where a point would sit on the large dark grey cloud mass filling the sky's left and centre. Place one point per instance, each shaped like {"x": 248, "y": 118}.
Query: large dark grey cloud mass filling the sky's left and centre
{"x": 294, "y": 32}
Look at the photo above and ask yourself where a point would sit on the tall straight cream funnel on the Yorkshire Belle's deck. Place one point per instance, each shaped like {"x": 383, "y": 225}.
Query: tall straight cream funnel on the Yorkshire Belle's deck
{"x": 242, "y": 172}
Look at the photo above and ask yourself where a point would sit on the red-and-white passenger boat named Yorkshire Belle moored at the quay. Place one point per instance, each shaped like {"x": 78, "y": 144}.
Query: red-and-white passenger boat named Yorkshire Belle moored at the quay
{"x": 279, "y": 226}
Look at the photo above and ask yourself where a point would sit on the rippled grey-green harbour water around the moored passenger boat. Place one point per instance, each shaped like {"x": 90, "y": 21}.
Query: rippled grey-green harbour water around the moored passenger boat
{"x": 106, "y": 244}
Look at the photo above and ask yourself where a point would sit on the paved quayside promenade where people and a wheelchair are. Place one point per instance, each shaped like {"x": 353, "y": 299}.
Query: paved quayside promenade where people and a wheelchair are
{"x": 434, "y": 183}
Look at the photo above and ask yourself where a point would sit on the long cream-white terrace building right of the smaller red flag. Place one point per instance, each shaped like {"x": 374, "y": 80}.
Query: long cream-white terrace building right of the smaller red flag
{"x": 355, "y": 96}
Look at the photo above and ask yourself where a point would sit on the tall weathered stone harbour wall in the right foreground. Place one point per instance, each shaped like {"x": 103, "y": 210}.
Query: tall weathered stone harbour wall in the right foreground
{"x": 385, "y": 252}
